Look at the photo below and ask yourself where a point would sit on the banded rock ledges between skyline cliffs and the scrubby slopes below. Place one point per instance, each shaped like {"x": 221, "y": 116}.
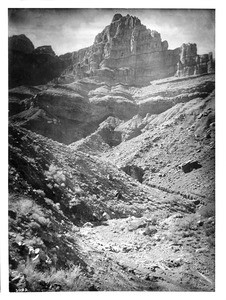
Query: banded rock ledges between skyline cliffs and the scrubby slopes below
{"x": 67, "y": 113}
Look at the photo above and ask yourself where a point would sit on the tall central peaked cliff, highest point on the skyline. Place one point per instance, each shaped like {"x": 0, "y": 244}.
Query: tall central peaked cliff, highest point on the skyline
{"x": 126, "y": 52}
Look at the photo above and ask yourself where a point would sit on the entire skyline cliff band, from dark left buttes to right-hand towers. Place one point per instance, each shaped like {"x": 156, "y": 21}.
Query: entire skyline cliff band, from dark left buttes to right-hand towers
{"x": 124, "y": 52}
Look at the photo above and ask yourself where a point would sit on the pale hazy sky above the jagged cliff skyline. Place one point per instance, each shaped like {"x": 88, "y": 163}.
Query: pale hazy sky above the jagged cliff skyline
{"x": 68, "y": 30}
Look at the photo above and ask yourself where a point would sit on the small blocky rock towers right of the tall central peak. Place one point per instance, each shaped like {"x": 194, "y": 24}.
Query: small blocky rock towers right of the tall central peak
{"x": 191, "y": 63}
